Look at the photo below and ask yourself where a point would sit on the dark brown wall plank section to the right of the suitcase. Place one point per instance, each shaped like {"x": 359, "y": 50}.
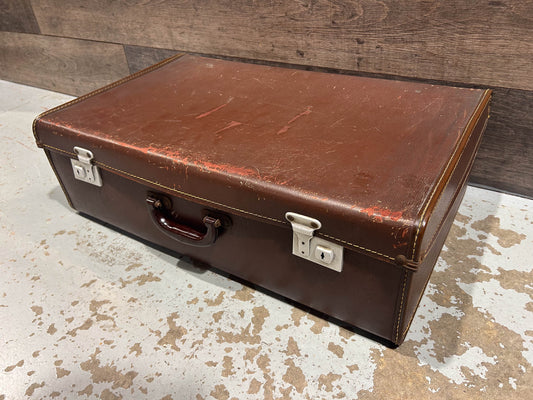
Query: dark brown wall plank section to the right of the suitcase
{"x": 505, "y": 158}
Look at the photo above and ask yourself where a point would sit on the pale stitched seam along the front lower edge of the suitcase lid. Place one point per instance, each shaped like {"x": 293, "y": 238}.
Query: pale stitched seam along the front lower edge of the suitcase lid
{"x": 216, "y": 203}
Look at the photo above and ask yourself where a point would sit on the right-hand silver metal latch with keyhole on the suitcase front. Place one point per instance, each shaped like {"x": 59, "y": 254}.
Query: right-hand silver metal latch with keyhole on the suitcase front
{"x": 310, "y": 247}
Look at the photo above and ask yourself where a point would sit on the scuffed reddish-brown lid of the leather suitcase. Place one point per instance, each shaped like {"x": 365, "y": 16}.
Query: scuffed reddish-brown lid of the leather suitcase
{"x": 371, "y": 159}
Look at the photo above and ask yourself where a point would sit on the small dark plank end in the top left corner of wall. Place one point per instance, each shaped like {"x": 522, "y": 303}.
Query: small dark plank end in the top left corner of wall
{"x": 17, "y": 16}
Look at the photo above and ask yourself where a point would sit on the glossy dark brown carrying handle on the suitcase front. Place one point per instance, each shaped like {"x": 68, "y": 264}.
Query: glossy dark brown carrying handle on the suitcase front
{"x": 167, "y": 223}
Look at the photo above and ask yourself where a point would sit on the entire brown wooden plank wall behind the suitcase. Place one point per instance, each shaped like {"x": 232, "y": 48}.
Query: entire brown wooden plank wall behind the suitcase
{"x": 78, "y": 45}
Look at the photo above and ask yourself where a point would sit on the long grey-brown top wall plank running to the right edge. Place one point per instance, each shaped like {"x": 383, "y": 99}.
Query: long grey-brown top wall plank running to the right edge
{"x": 478, "y": 41}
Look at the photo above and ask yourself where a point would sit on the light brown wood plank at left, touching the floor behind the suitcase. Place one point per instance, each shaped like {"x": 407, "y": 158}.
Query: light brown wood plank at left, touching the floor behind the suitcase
{"x": 64, "y": 65}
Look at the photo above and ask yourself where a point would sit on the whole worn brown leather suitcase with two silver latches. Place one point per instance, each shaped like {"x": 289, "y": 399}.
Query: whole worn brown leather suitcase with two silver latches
{"x": 334, "y": 191}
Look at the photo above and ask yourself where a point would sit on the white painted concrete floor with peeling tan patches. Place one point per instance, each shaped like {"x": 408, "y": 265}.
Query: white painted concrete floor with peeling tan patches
{"x": 88, "y": 313}
